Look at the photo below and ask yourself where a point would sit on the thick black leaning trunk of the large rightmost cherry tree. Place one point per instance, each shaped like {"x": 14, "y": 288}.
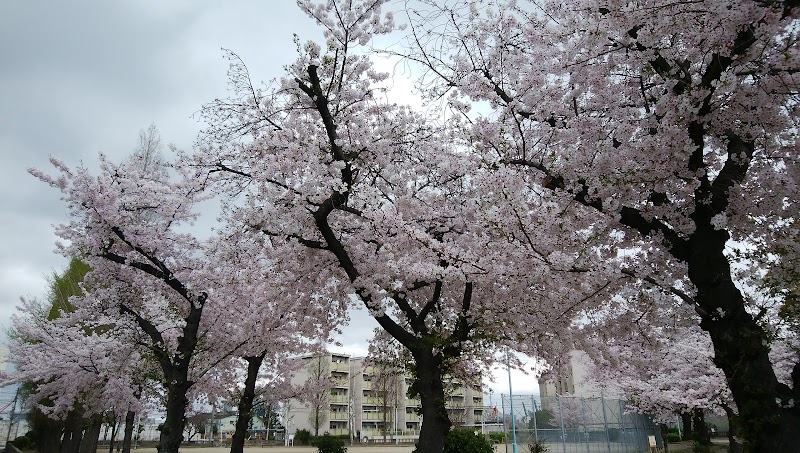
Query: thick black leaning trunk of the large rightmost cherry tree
{"x": 741, "y": 349}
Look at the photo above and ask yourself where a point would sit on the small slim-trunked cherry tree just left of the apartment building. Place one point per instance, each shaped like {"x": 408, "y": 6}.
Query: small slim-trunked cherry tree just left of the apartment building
{"x": 283, "y": 320}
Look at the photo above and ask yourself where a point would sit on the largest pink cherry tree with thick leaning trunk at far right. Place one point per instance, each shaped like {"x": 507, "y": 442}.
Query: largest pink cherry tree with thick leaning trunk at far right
{"x": 675, "y": 123}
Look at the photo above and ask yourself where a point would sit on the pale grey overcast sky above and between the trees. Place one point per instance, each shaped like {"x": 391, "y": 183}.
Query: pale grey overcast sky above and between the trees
{"x": 82, "y": 77}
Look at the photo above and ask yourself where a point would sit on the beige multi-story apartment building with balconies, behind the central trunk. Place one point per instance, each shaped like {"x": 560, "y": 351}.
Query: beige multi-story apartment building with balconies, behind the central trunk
{"x": 363, "y": 403}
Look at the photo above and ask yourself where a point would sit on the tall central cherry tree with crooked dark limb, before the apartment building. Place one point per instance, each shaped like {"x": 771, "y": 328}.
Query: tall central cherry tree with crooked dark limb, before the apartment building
{"x": 372, "y": 199}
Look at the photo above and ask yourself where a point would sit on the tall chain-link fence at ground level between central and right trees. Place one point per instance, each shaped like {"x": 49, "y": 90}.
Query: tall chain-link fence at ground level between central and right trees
{"x": 571, "y": 425}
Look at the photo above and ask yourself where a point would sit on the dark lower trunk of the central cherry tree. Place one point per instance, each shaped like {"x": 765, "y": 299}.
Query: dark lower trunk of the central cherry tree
{"x": 436, "y": 422}
